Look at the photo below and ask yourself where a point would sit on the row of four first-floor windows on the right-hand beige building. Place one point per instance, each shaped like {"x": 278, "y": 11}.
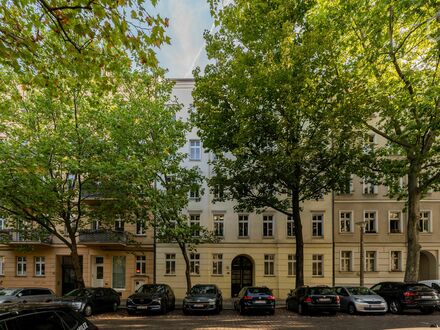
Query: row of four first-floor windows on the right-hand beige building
{"x": 370, "y": 222}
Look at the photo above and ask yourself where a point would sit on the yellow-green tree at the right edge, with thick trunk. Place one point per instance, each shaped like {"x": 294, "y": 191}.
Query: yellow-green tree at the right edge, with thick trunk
{"x": 388, "y": 55}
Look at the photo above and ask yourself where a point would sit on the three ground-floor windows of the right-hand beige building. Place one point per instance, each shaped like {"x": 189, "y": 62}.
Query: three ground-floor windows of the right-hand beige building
{"x": 346, "y": 261}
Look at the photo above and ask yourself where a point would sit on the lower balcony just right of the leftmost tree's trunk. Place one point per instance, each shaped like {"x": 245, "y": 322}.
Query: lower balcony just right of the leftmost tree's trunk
{"x": 103, "y": 237}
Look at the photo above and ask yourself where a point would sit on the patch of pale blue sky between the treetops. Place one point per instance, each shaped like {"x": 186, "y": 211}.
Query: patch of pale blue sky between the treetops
{"x": 188, "y": 20}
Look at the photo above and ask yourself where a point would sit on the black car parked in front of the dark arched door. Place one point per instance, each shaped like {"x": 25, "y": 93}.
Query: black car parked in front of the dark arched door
{"x": 255, "y": 298}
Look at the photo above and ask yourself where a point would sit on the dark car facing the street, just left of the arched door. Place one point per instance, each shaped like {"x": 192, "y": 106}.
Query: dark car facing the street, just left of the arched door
{"x": 203, "y": 297}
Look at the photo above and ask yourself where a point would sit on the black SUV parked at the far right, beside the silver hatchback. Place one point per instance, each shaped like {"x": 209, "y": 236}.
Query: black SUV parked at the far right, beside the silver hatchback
{"x": 401, "y": 296}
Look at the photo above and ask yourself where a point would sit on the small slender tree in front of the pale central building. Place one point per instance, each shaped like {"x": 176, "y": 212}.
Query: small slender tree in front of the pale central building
{"x": 172, "y": 225}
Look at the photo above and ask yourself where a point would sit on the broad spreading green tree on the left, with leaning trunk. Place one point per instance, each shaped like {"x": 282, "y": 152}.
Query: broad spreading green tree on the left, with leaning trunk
{"x": 73, "y": 139}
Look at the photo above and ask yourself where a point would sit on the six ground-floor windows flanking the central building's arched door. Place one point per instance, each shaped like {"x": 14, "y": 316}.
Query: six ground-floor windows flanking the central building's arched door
{"x": 217, "y": 264}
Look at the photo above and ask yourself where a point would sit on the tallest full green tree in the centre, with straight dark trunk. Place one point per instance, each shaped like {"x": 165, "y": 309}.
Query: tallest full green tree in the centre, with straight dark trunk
{"x": 263, "y": 108}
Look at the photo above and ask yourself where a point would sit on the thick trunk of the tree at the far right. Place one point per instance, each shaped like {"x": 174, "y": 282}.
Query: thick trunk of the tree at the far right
{"x": 413, "y": 246}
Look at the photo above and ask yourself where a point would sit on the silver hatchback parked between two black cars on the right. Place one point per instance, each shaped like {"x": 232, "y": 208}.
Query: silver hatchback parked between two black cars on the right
{"x": 358, "y": 299}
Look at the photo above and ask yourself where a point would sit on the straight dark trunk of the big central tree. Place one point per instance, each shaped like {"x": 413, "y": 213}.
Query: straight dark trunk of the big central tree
{"x": 296, "y": 212}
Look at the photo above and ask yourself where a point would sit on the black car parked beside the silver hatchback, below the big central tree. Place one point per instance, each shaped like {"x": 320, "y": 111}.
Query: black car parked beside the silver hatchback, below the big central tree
{"x": 309, "y": 299}
